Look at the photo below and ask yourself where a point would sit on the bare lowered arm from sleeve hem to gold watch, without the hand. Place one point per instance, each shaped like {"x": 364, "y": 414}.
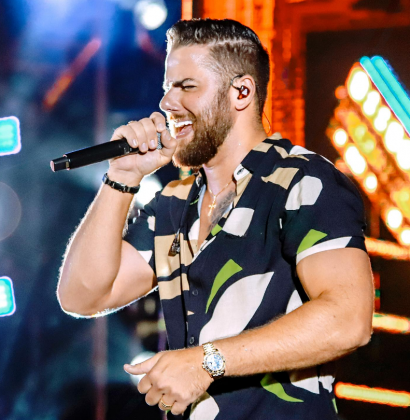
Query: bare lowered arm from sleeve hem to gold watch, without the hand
{"x": 335, "y": 321}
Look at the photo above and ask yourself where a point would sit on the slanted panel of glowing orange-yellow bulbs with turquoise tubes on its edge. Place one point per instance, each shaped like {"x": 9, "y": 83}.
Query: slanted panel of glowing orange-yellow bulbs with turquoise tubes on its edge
{"x": 371, "y": 131}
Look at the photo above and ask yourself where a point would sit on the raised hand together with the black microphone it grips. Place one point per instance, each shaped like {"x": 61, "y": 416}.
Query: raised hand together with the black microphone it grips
{"x": 134, "y": 150}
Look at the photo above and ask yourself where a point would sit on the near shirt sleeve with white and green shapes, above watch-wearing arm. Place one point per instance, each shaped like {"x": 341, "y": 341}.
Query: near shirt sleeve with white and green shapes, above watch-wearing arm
{"x": 323, "y": 210}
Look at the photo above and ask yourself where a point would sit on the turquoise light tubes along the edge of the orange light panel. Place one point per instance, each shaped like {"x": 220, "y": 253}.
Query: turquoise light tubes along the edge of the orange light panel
{"x": 389, "y": 87}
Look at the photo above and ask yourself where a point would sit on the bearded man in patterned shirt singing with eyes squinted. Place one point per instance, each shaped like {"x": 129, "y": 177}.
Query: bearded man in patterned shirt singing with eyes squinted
{"x": 259, "y": 257}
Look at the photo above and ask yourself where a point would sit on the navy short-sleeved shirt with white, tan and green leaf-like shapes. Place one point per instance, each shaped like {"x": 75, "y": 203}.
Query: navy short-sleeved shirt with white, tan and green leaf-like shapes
{"x": 290, "y": 203}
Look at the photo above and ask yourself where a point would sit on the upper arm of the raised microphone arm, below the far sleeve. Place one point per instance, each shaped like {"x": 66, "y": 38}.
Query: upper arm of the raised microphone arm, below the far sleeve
{"x": 135, "y": 278}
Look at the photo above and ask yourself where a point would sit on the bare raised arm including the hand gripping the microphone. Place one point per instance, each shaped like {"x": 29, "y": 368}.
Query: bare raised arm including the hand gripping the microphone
{"x": 101, "y": 271}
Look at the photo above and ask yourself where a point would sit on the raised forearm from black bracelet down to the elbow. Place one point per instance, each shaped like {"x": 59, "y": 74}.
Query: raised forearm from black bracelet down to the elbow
{"x": 93, "y": 256}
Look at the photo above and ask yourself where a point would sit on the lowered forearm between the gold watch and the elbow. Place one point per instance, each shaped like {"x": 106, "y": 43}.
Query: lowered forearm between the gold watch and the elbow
{"x": 319, "y": 331}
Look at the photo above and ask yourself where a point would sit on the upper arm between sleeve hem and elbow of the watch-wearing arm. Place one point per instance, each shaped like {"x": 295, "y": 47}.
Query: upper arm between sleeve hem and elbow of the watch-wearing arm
{"x": 341, "y": 275}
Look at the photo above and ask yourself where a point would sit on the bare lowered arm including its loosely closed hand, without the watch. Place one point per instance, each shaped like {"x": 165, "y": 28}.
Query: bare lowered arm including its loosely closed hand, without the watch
{"x": 334, "y": 322}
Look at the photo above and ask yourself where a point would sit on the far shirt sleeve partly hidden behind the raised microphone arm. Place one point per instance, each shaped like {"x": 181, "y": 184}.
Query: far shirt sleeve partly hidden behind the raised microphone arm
{"x": 141, "y": 231}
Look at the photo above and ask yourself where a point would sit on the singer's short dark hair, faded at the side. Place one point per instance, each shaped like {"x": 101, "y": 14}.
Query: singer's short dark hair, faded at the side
{"x": 234, "y": 48}
